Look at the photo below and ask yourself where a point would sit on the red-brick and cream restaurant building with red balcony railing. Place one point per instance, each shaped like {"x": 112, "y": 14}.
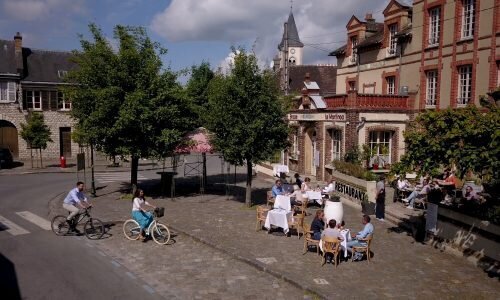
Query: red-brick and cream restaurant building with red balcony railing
{"x": 433, "y": 55}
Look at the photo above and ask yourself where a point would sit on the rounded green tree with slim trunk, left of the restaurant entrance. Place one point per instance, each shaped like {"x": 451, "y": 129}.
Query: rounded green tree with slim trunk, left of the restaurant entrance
{"x": 246, "y": 115}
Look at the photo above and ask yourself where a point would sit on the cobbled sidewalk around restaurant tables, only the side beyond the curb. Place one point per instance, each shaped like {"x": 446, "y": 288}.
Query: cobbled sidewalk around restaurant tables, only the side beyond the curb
{"x": 400, "y": 267}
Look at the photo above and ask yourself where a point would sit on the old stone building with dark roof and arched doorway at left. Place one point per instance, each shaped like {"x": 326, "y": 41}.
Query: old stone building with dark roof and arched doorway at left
{"x": 29, "y": 82}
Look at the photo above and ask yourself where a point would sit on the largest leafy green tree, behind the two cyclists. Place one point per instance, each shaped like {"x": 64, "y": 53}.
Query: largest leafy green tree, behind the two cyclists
{"x": 124, "y": 101}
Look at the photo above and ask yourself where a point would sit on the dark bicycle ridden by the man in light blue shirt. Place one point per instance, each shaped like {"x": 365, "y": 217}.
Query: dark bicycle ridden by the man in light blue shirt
{"x": 93, "y": 228}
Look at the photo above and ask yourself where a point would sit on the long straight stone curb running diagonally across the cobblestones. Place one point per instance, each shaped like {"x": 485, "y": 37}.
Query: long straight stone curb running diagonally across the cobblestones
{"x": 252, "y": 263}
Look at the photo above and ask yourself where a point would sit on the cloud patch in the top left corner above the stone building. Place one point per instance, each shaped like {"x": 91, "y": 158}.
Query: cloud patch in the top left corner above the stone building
{"x": 34, "y": 10}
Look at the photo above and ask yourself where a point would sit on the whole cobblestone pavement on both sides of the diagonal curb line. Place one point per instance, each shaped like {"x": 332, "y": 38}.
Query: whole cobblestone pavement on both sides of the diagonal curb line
{"x": 400, "y": 267}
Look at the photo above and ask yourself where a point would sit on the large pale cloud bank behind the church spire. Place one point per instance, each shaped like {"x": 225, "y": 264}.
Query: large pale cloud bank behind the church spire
{"x": 321, "y": 23}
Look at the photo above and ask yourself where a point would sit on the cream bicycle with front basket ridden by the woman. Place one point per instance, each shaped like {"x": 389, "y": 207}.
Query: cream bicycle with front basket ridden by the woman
{"x": 158, "y": 231}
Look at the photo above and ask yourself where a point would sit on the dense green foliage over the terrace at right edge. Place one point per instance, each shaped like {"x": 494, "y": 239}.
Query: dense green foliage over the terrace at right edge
{"x": 466, "y": 138}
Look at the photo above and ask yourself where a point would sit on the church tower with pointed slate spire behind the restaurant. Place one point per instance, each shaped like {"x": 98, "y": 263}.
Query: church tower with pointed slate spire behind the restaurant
{"x": 295, "y": 46}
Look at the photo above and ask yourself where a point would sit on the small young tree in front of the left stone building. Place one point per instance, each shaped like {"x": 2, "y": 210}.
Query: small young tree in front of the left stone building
{"x": 36, "y": 134}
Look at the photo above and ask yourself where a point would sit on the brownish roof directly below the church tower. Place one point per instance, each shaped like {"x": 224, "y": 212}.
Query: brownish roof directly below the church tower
{"x": 324, "y": 76}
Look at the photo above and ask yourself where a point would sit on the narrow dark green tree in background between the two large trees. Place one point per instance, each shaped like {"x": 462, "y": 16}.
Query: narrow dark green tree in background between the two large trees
{"x": 197, "y": 88}
